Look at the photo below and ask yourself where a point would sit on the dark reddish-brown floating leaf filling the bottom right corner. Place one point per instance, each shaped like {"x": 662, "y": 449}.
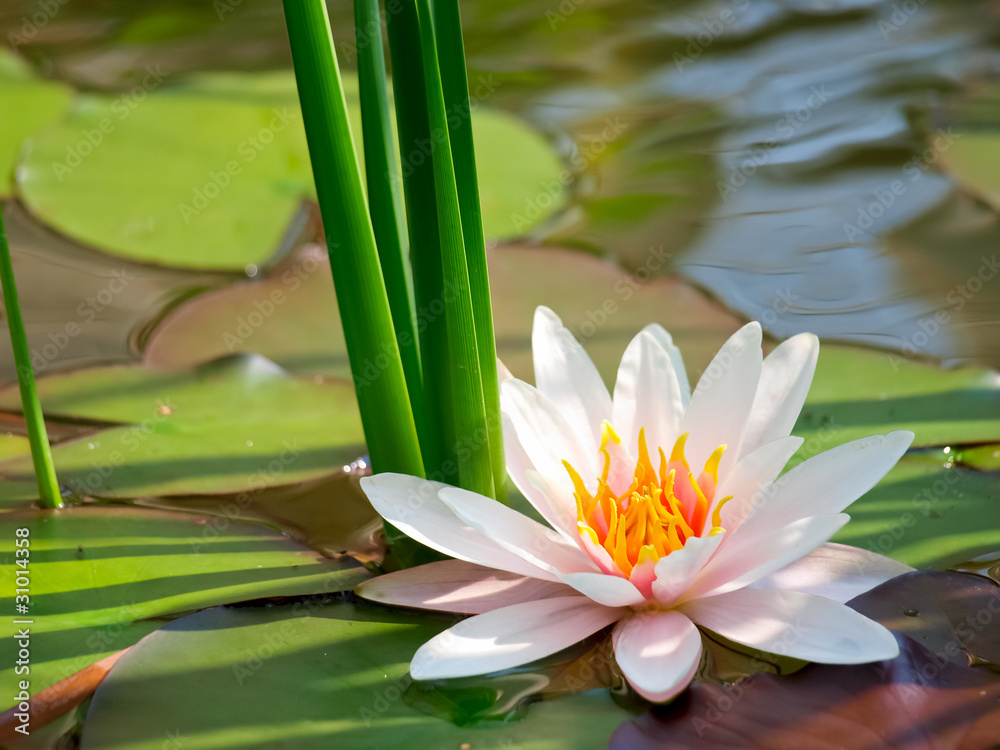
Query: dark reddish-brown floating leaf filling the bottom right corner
{"x": 914, "y": 702}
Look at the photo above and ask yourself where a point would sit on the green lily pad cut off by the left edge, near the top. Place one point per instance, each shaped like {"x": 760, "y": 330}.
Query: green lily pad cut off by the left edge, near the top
{"x": 29, "y": 102}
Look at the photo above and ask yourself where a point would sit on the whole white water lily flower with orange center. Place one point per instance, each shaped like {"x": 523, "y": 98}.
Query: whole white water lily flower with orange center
{"x": 665, "y": 515}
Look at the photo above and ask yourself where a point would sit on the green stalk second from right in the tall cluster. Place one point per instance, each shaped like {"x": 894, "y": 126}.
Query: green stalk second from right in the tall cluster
{"x": 465, "y": 408}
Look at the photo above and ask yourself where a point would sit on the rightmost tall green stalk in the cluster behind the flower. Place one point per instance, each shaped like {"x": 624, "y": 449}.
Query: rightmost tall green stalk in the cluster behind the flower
{"x": 455, "y": 86}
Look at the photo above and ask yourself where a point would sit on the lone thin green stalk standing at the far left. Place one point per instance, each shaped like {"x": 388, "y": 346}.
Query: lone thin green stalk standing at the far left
{"x": 41, "y": 453}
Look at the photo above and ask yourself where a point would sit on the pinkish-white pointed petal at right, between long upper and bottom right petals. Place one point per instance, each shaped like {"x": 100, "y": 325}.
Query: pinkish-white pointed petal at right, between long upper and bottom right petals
{"x": 835, "y": 571}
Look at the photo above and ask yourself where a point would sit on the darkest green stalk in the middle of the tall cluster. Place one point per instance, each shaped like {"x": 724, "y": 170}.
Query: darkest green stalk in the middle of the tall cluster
{"x": 429, "y": 293}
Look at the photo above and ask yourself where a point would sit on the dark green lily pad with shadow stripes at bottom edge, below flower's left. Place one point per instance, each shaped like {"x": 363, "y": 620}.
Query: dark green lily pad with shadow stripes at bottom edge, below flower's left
{"x": 333, "y": 676}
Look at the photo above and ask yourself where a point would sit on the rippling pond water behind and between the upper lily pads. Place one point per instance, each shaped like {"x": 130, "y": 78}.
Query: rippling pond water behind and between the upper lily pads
{"x": 792, "y": 158}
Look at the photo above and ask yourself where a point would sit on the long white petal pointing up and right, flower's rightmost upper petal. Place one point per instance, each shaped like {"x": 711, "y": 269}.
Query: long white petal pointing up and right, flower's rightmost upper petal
{"x": 826, "y": 483}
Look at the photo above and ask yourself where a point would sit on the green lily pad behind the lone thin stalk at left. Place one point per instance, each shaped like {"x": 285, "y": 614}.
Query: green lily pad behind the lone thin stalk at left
{"x": 238, "y": 424}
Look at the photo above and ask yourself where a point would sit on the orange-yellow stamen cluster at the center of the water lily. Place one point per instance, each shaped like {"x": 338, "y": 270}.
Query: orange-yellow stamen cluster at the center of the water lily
{"x": 658, "y": 512}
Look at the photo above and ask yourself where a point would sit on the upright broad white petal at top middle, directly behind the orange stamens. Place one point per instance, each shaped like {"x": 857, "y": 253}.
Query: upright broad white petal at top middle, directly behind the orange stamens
{"x": 647, "y": 395}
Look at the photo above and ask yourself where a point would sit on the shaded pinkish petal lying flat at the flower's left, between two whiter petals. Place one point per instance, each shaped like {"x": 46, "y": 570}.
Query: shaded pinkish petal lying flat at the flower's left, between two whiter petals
{"x": 457, "y": 586}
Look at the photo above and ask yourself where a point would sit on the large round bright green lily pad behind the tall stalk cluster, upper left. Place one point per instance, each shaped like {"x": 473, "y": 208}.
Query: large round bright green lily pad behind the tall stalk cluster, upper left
{"x": 209, "y": 174}
